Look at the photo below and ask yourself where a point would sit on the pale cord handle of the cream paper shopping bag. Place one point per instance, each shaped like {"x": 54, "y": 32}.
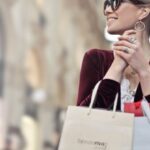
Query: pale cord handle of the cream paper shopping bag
{"x": 93, "y": 98}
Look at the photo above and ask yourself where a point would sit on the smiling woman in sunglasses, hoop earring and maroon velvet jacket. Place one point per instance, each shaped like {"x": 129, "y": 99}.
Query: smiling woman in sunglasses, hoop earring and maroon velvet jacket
{"x": 126, "y": 69}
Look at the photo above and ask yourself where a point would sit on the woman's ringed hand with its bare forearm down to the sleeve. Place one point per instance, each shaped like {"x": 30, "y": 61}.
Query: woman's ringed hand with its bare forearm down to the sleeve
{"x": 132, "y": 50}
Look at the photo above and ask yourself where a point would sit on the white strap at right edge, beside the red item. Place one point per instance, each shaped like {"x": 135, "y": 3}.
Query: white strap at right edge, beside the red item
{"x": 145, "y": 108}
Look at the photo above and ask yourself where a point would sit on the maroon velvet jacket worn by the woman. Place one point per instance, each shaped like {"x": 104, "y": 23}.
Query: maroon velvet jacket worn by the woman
{"x": 94, "y": 67}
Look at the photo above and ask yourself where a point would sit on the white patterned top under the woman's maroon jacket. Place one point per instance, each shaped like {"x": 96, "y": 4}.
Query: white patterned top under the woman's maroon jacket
{"x": 126, "y": 94}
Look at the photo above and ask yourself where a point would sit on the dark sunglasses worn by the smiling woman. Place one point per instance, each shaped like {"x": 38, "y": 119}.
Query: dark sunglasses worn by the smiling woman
{"x": 114, "y": 4}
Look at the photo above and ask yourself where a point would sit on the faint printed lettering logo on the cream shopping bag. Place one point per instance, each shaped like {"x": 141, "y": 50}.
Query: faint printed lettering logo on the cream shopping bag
{"x": 97, "y": 145}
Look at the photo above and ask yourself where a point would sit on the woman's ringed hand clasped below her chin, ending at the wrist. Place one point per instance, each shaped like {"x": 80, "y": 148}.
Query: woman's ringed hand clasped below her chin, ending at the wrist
{"x": 130, "y": 49}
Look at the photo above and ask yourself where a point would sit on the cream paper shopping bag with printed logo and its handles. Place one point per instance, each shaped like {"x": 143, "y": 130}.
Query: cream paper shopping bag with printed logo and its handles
{"x": 95, "y": 129}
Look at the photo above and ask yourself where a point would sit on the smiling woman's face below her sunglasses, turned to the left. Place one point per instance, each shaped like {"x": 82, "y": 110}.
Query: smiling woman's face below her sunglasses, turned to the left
{"x": 124, "y": 18}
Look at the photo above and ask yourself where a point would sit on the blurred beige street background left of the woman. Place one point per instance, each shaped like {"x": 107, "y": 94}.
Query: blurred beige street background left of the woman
{"x": 42, "y": 43}
